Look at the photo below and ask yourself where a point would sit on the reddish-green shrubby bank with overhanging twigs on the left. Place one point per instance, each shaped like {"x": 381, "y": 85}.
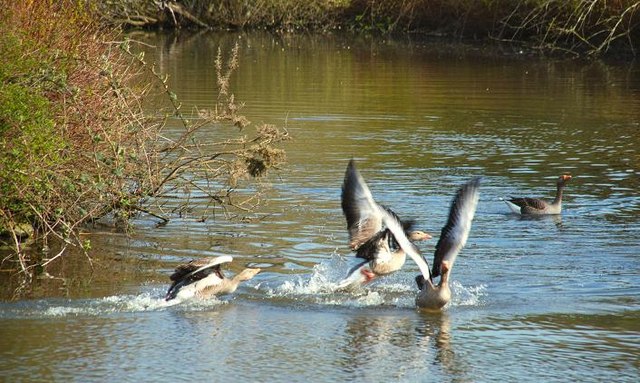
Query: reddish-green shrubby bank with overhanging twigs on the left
{"x": 76, "y": 147}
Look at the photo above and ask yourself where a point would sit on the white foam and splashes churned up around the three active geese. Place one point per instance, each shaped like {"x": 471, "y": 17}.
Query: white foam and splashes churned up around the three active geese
{"x": 318, "y": 288}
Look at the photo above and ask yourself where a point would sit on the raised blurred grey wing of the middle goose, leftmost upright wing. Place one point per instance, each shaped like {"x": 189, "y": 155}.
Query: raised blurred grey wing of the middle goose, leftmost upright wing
{"x": 363, "y": 215}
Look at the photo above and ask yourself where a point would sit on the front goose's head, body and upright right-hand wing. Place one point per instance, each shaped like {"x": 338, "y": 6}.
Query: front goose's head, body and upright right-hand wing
{"x": 452, "y": 239}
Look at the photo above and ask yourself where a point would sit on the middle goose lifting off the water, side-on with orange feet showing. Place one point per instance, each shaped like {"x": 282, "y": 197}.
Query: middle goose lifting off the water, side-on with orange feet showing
{"x": 368, "y": 236}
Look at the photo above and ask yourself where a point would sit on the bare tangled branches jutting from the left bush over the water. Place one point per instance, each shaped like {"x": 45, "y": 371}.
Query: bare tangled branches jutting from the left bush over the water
{"x": 192, "y": 166}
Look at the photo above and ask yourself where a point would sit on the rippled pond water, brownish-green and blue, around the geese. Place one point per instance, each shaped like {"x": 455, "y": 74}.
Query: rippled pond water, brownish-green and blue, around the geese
{"x": 555, "y": 298}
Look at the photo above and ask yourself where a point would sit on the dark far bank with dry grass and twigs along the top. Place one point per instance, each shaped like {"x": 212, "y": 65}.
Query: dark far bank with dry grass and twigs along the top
{"x": 579, "y": 28}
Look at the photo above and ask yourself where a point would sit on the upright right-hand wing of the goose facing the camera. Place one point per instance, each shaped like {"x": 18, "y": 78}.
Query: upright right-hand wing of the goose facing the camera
{"x": 455, "y": 233}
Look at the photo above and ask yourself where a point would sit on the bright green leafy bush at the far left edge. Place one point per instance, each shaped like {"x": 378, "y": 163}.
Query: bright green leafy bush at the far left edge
{"x": 30, "y": 146}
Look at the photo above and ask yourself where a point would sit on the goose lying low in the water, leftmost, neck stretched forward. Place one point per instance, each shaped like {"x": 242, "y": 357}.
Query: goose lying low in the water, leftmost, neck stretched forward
{"x": 203, "y": 278}
